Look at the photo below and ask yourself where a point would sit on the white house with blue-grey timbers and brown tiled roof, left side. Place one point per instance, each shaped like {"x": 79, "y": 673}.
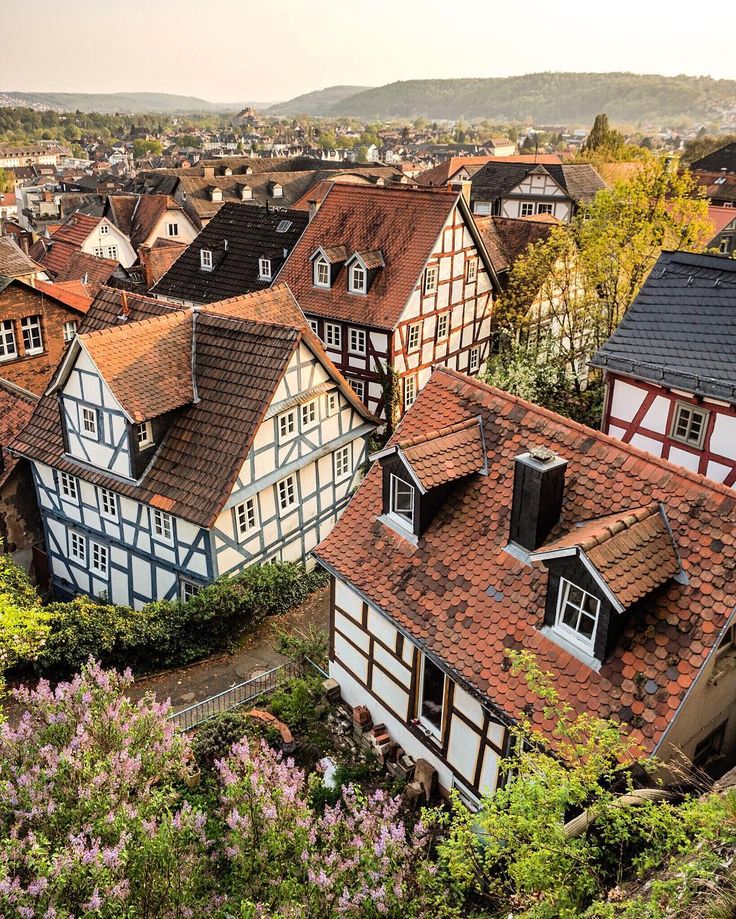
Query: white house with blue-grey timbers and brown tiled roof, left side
{"x": 174, "y": 449}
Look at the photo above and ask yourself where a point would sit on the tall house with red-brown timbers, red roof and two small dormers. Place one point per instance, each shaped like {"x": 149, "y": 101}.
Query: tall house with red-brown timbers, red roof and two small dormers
{"x": 395, "y": 278}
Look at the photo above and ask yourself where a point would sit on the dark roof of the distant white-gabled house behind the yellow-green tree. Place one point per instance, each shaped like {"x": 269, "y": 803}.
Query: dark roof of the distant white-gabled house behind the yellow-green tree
{"x": 496, "y": 179}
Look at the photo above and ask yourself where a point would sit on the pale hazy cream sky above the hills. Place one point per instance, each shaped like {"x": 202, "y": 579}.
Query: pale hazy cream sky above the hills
{"x": 234, "y": 50}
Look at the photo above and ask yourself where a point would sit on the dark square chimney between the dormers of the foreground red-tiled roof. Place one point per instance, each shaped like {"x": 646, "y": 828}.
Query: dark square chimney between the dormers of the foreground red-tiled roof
{"x": 539, "y": 485}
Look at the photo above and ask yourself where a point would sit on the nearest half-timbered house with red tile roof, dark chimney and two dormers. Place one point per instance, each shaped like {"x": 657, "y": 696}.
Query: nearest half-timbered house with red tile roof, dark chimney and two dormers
{"x": 489, "y": 525}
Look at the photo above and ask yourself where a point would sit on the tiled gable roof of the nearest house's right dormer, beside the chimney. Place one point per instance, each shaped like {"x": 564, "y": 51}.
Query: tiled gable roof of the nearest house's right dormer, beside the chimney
{"x": 633, "y": 552}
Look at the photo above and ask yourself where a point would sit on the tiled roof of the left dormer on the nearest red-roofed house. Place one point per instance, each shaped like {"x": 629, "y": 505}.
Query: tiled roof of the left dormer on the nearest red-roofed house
{"x": 443, "y": 456}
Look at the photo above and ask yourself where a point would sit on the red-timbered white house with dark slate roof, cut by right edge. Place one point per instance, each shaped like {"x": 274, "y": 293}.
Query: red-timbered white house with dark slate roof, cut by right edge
{"x": 670, "y": 366}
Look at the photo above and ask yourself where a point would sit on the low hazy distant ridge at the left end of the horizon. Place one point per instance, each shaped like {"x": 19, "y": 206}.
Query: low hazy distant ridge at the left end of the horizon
{"x": 108, "y": 103}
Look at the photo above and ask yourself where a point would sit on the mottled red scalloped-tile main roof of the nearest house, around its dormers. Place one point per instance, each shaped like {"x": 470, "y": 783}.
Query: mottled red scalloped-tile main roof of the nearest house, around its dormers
{"x": 438, "y": 590}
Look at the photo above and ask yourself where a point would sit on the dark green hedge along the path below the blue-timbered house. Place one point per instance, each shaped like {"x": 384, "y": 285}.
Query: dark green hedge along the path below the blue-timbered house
{"x": 165, "y": 633}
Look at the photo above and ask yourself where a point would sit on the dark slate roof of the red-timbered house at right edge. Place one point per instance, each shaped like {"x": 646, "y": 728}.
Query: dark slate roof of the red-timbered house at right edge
{"x": 680, "y": 331}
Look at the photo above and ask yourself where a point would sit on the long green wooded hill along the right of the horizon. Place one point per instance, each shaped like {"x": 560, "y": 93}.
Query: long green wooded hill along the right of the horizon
{"x": 548, "y": 98}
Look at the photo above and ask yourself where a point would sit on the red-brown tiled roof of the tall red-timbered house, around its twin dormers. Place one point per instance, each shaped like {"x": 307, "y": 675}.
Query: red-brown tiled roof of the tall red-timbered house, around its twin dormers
{"x": 403, "y": 223}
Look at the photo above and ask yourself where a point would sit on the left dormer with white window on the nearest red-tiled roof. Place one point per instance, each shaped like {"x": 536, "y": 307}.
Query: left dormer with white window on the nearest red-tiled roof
{"x": 419, "y": 473}
